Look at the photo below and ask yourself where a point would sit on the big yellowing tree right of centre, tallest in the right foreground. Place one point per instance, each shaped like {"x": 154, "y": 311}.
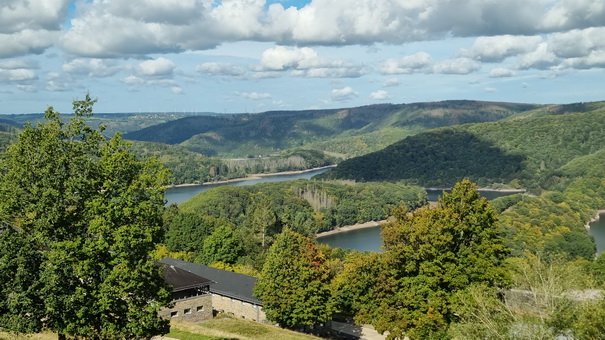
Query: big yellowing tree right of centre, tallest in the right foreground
{"x": 430, "y": 255}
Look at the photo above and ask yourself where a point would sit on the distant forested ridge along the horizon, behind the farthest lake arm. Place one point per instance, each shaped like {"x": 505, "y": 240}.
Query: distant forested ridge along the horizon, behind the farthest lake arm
{"x": 349, "y": 131}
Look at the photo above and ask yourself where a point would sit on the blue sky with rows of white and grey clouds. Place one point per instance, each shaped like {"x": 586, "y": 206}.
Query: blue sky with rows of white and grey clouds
{"x": 235, "y": 56}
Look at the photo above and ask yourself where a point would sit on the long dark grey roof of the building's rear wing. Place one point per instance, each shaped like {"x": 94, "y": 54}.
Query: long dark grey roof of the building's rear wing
{"x": 230, "y": 284}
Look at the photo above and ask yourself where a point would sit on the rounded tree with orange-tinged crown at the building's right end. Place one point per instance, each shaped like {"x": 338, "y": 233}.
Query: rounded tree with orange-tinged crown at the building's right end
{"x": 294, "y": 282}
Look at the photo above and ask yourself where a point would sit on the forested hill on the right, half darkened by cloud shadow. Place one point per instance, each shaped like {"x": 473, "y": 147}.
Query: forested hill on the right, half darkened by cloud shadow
{"x": 528, "y": 150}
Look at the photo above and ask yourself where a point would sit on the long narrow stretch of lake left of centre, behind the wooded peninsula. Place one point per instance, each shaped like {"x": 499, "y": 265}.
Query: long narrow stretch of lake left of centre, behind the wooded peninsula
{"x": 181, "y": 194}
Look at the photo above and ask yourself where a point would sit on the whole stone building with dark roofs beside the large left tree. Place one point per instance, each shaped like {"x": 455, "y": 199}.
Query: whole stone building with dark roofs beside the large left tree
{"x": 198, "y": 289}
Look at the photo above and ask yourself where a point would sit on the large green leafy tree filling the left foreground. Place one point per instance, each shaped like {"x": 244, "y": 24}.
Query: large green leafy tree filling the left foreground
{"x": 81, "y": 215}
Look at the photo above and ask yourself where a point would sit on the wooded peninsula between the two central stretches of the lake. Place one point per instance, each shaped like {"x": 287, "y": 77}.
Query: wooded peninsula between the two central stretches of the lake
{"x": 237, "y": 224}
